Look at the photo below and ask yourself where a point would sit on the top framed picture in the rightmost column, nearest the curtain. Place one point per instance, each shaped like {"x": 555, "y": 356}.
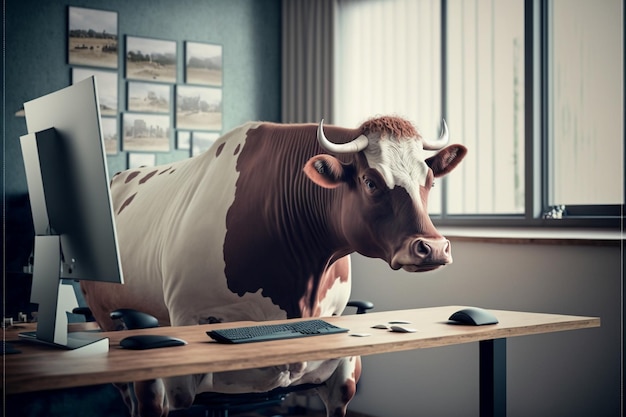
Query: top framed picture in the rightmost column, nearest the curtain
{"x": 203, "y": 63}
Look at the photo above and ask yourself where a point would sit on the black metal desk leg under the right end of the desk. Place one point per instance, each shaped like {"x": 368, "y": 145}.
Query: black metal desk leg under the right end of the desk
{"x": 493, "y": 378}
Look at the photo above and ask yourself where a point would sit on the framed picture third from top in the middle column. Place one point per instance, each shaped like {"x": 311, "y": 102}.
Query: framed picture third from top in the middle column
{"x": 146, "y": 132}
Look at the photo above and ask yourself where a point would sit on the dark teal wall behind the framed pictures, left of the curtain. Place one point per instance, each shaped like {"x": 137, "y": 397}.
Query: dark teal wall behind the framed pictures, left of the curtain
{"x": 36, "y": 64}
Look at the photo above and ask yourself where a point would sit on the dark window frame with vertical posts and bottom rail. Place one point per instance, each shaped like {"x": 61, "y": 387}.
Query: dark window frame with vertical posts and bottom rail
{"x": 536, "y": 137}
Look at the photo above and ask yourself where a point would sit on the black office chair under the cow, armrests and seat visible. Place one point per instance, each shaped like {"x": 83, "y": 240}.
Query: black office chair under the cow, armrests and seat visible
{"x": 213, "y": 404}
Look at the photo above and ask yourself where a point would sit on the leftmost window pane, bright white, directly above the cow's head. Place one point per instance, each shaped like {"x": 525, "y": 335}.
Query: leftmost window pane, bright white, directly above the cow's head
{"x": 388, "y": 56}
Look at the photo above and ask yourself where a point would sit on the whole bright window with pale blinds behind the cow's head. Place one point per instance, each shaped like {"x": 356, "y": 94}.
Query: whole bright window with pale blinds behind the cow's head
{"x": 534, "y": 89}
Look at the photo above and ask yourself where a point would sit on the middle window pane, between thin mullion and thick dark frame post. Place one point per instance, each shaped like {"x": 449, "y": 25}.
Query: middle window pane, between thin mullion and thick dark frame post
{"x": 485, "y": 105}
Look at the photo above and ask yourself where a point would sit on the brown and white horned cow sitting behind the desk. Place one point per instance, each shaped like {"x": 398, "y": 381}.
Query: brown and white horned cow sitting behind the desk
{"x": 260, "y": 227}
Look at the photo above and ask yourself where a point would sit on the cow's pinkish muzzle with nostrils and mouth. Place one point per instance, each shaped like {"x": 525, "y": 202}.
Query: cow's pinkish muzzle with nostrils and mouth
{"x": 423, "y": 254}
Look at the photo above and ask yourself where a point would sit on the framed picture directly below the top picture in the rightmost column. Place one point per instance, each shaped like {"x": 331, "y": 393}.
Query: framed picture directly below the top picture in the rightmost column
{"x": 198, "y": 108}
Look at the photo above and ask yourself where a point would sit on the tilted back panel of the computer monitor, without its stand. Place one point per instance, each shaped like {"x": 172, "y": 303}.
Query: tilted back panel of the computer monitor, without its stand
{"x": 65, "y": 162}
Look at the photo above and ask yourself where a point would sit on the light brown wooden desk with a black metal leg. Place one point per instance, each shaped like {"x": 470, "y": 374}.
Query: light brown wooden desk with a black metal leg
{"x": 40, "y": 368}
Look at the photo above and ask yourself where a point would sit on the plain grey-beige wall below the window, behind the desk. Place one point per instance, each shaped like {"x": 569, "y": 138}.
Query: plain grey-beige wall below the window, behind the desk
{"x": 575, "y": 373}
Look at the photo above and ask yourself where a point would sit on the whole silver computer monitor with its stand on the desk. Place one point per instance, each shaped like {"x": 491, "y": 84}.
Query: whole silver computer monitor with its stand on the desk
{"x": 68, "y": 186}
